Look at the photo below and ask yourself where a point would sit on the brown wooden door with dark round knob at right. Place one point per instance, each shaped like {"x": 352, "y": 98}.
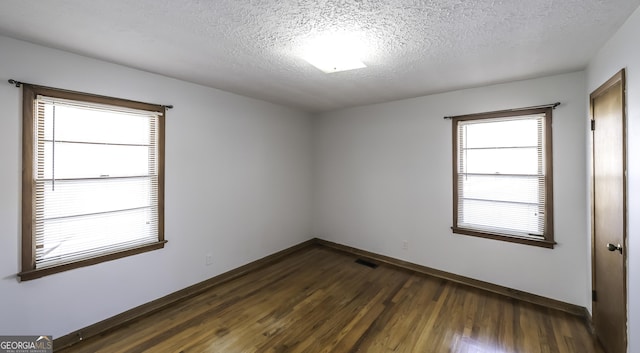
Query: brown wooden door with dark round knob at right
{"x": 609, "y": 214}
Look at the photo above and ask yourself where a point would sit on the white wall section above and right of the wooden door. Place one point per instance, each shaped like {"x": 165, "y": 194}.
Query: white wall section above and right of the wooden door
{"x": 622, "y": 51}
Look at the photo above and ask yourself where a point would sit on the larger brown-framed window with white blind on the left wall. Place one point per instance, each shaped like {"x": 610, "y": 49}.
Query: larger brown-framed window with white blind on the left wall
{"x": 92, "y": 179}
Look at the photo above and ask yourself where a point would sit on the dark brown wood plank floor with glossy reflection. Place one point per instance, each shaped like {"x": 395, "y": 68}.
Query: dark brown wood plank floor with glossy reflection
{"x": 320, "y": 300}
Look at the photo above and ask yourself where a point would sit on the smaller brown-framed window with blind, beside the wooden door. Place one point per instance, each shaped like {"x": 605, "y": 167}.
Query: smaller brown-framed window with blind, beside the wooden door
{"x": 502, "y": 173}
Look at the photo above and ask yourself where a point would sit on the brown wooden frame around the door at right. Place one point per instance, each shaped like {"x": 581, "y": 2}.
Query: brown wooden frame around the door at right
{"x": 620, "y": 76}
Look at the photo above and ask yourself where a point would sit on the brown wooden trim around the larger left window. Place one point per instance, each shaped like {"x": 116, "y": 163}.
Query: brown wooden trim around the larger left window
{"x": 29, "y": 94}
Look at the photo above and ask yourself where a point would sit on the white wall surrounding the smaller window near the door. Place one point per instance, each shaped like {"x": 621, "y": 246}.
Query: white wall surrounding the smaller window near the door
{"x": 383, "y": 175}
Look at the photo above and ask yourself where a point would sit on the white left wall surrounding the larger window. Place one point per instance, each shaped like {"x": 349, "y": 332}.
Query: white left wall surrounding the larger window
{"x": 237, "y": 186}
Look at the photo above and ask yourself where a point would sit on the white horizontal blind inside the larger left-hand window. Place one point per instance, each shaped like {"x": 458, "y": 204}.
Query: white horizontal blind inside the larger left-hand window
{"x": 96, "y": 180}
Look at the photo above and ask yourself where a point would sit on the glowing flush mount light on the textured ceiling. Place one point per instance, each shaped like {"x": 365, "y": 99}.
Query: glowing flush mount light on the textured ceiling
{"x": 335, "y": 52}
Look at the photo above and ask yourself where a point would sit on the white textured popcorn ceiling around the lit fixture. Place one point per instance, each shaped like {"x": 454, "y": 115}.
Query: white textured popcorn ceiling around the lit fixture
{"x": 254, "y": 47}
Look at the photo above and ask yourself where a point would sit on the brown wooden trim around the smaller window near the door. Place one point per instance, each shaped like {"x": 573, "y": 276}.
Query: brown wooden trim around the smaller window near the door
{"x": 548, "y": 238}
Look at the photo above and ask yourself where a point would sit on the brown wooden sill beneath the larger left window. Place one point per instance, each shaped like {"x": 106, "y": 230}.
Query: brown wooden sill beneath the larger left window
{"x": 41, "y": 272}
